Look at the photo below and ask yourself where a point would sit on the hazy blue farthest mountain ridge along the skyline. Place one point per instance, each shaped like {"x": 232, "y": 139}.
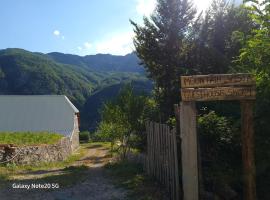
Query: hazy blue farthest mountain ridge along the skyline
{"x": 101, "y": 62}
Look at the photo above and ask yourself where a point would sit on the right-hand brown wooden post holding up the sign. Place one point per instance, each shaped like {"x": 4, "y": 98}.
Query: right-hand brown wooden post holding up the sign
{"x": 248, "y": 150}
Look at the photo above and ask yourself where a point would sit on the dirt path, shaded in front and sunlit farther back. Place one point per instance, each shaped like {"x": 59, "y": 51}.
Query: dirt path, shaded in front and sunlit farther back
{"x": 93, "y": 183}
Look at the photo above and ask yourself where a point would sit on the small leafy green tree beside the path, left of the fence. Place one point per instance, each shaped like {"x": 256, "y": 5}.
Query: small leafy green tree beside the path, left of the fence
{"x": 123, "y": 120}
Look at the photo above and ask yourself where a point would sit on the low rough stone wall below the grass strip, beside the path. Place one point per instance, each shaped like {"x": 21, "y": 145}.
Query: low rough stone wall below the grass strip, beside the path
{"x": 33, "y": 154}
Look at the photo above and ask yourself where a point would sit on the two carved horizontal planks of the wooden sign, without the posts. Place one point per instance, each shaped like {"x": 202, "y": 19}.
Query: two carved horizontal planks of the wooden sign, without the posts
{"x": 218, "y": 87}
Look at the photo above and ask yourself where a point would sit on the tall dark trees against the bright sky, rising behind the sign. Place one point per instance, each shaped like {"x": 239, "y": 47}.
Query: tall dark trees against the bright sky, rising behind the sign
{"x": 172, "y": 42}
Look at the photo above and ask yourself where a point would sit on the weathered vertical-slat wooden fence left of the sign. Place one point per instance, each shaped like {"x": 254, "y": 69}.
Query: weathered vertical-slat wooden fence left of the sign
{"x": 161, "y": 161}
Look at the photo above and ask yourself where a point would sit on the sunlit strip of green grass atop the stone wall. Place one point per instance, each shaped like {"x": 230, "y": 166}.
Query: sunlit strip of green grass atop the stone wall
{"x": 29, "y": 138}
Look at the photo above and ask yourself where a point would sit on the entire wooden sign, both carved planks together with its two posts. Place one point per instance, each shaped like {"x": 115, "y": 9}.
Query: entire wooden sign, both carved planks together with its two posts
{"x": 211, "y": 88}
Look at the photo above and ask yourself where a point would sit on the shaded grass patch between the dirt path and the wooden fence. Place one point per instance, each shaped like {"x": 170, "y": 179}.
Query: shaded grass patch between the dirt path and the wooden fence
{"x": 131, "y": 176}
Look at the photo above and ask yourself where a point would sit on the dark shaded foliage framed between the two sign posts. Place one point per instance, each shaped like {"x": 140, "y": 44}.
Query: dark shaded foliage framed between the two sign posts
{"x": 220, "y": 148}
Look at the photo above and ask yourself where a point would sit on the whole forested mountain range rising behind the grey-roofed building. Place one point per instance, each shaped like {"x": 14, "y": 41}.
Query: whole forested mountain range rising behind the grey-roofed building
{"x": 87, "y": 85}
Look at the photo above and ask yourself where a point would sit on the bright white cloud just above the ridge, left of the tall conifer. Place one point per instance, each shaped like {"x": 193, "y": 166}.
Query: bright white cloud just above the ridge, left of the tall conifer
{"x": 117, "y": 44}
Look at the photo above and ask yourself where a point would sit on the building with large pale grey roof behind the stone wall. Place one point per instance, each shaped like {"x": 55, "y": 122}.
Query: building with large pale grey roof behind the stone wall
{"x": 34, "y": 113}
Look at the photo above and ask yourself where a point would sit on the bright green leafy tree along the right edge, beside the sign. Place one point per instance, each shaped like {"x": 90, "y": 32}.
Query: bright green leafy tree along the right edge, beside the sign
{"x": 255, "y": 58}
